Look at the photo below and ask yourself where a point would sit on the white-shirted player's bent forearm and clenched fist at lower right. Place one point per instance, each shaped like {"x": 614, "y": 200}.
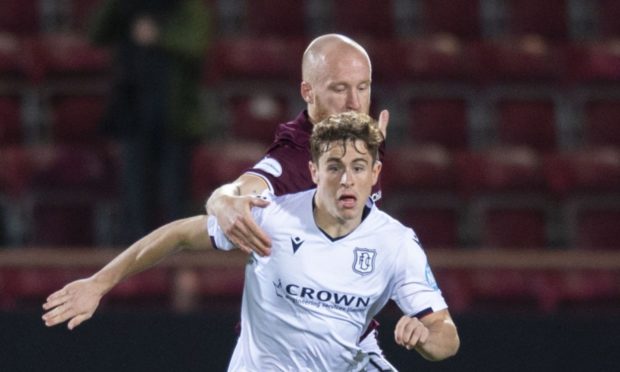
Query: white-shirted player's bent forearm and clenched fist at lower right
{"x": 434, "y": 336}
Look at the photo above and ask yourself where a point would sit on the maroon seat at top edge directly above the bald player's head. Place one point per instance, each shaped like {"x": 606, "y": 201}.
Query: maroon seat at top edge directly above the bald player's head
{"x": 364, "y": 18}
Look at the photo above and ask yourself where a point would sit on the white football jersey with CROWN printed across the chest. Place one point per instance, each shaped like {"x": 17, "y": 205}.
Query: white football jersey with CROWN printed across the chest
{"x": 306, "y": 305}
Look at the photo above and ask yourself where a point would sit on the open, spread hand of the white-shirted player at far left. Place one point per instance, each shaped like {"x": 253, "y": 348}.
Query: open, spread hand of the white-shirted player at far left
{"x": 76, "y": 302}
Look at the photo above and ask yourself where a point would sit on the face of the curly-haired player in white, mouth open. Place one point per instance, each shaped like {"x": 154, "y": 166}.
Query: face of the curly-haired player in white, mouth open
{"x": 344, "y": 178}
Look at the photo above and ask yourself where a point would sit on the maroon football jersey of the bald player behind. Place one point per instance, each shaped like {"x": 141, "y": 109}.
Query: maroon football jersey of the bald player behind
{"x": 285, "y": 165}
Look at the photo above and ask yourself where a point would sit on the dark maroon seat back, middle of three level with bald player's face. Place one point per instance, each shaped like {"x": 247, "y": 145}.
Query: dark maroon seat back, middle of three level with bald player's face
{"x": 526, "y": 122}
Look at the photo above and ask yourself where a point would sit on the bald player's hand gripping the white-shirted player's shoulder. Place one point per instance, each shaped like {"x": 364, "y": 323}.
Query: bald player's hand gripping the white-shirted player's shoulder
{"x": 235, "y": 218}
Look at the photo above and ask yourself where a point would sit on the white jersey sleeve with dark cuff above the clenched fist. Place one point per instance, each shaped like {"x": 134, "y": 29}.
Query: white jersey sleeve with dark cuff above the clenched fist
{"x": 416, "y": 292}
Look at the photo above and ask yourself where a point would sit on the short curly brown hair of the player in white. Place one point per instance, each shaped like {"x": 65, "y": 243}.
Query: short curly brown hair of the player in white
{"x": 344, "y": 127}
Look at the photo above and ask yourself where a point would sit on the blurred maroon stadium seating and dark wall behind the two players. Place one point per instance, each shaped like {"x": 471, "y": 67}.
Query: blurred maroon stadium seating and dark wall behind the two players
{"x": 503, "y": 154}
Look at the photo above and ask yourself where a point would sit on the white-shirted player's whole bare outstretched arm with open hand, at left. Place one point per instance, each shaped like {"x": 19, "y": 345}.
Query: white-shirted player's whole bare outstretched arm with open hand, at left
{"x": 78, "y": 300}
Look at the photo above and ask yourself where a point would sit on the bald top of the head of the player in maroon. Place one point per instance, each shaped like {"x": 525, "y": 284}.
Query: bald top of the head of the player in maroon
{"x": 323, "y": 50}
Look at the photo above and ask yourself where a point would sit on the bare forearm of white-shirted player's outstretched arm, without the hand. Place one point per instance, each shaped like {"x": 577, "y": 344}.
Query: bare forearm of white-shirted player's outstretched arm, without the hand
{"x": 152, "y": 248}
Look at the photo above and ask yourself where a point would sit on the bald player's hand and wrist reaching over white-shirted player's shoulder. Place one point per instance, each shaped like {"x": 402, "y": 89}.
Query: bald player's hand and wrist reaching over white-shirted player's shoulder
{"x": 232, "y": 204}
